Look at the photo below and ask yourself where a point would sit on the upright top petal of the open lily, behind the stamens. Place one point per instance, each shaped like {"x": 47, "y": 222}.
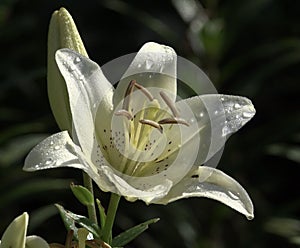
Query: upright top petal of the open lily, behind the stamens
{"x": 153, "y": 66}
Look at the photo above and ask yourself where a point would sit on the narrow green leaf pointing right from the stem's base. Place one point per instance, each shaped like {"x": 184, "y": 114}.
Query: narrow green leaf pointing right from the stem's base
{"x": 130, "y": 234}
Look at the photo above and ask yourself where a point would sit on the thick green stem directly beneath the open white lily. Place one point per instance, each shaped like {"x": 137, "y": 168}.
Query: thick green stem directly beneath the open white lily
{"x": 110, "y": 217}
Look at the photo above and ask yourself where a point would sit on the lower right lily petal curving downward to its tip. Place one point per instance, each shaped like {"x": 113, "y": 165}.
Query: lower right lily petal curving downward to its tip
{"x": 214, "y": 184}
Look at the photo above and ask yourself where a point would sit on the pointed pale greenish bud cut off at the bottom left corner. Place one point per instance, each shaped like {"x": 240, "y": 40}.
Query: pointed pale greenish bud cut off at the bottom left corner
{"x": 15, "y": 234}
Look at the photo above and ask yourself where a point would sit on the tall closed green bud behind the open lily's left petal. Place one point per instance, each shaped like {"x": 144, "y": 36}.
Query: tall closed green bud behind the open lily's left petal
{"x": 62, "y": 34}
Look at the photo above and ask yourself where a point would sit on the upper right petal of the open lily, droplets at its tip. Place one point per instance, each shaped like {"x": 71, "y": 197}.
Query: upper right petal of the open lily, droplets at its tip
{"x": 218, "y": 116}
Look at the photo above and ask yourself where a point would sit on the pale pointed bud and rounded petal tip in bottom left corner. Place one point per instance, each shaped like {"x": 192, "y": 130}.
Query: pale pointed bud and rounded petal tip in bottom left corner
{"x": 15, "y": 235}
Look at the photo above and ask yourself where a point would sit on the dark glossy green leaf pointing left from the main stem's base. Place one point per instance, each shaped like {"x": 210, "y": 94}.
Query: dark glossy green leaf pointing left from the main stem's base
{"x": 71, "y": 218}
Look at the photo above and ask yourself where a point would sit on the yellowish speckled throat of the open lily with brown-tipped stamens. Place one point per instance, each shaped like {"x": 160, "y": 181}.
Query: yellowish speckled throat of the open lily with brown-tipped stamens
{"x": 145, "y": 134}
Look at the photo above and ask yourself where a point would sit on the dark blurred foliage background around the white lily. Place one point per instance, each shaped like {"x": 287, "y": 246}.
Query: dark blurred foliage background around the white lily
{"x": 249, "y": 48}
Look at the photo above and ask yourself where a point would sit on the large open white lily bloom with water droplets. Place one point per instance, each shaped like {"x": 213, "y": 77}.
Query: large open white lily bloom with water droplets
{"x": 136, "y": 140}
